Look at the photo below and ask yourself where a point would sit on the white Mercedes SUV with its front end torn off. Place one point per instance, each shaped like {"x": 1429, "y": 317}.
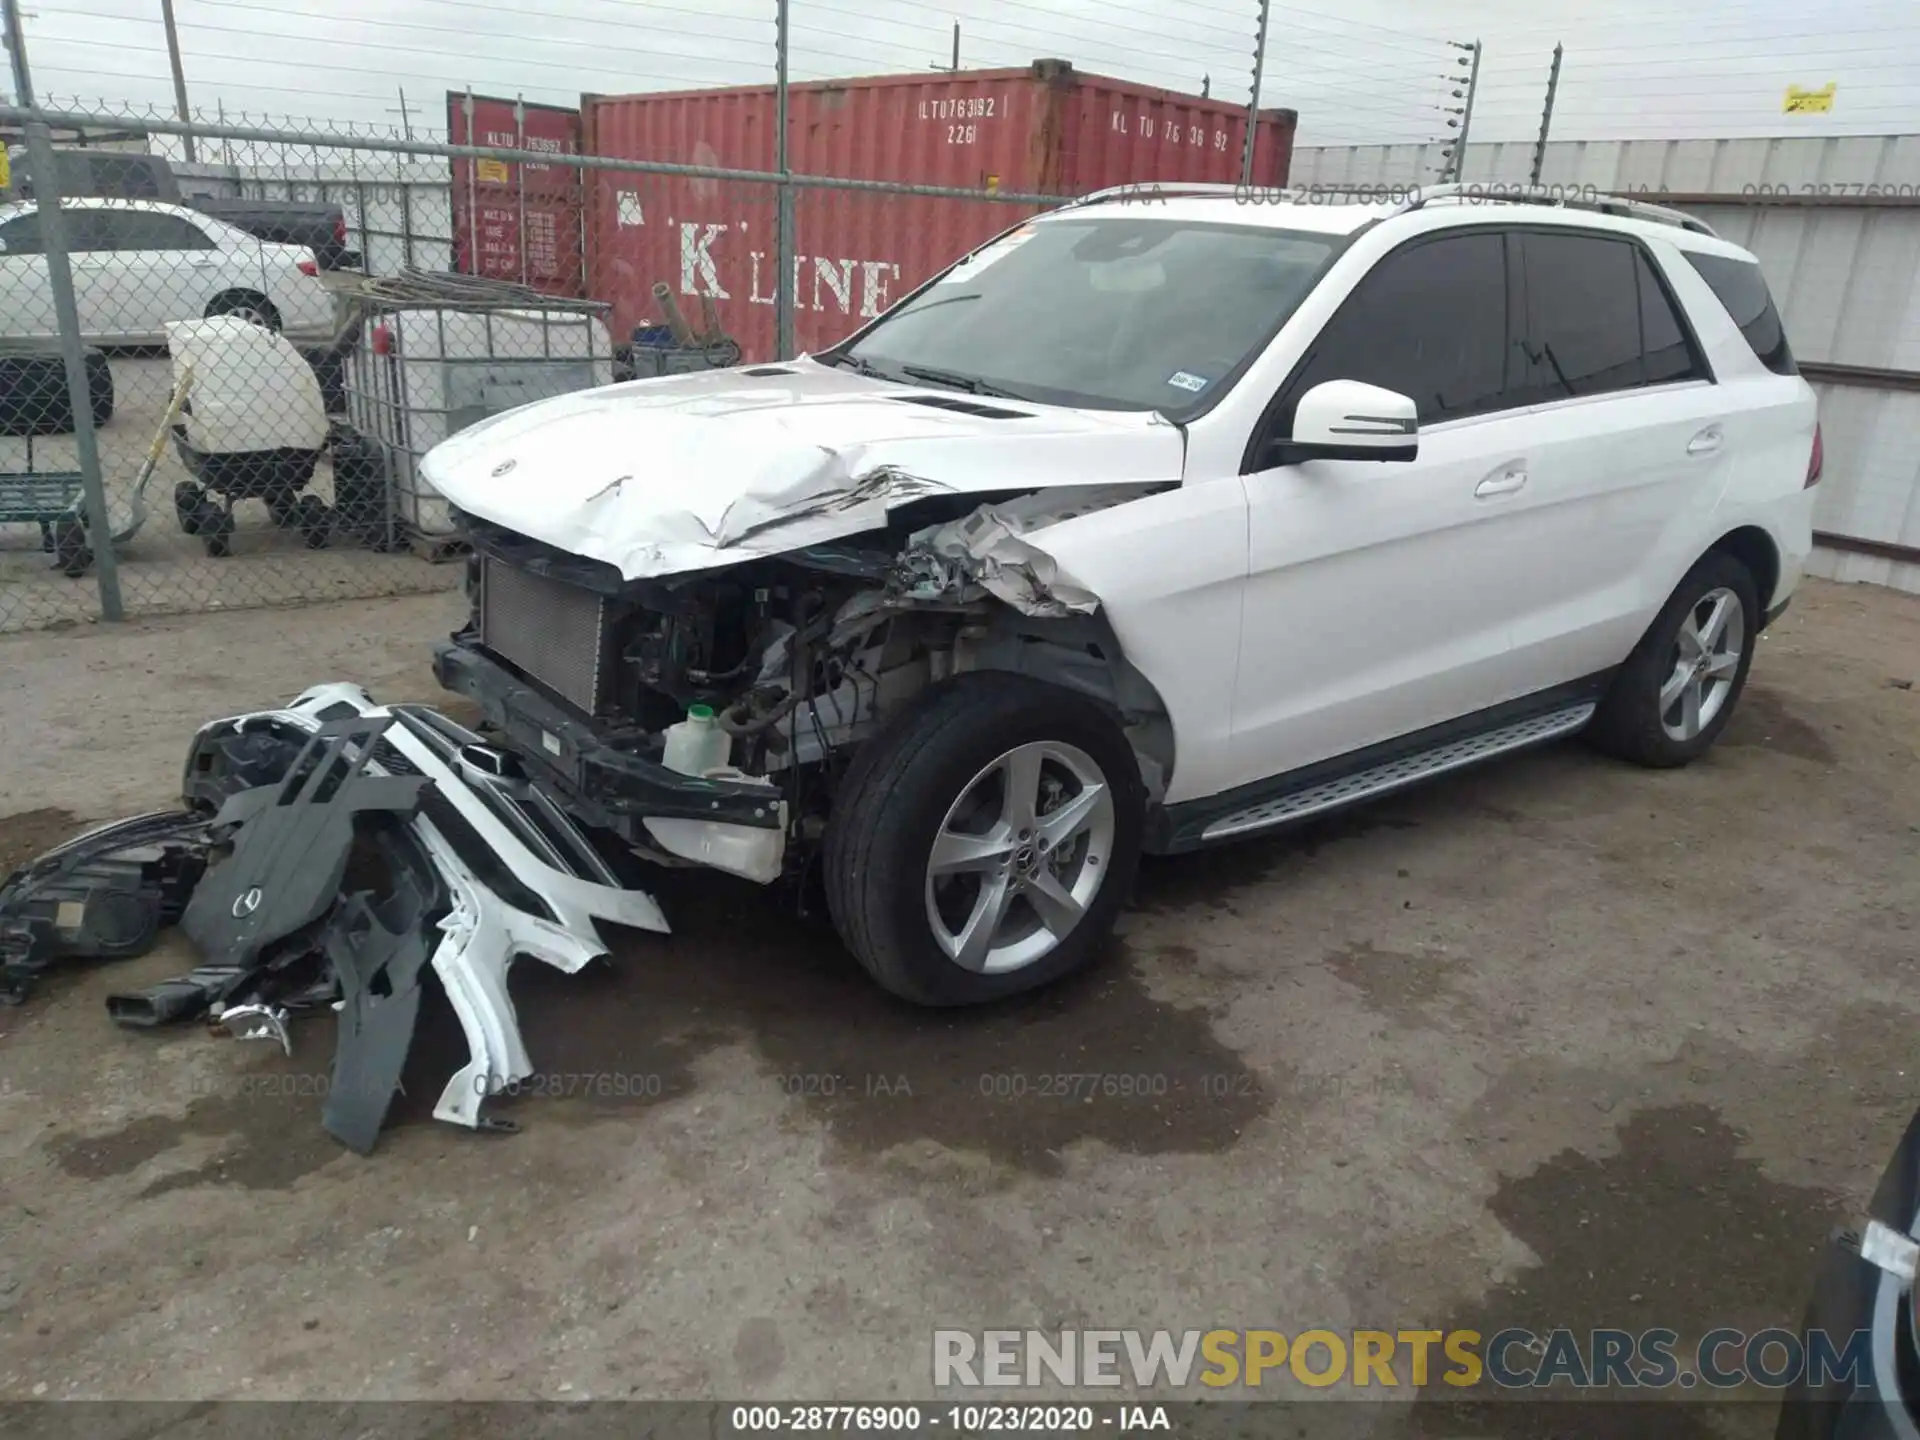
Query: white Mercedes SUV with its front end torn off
{"x": 1161, "y": 521}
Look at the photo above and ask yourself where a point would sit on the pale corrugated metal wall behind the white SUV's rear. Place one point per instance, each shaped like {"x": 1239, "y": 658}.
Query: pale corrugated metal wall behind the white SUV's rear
{"x": 1836, "y": 226}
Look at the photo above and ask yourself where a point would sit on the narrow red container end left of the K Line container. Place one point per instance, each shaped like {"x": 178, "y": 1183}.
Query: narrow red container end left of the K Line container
{"x": 517, "y": 222}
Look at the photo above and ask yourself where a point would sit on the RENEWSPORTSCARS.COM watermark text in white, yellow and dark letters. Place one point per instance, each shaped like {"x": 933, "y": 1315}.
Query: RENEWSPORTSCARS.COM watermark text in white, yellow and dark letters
{"x": 1376, "y": 1360}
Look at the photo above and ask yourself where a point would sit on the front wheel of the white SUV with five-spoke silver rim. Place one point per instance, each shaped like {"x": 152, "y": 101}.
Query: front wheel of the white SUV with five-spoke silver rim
{"x": 942, "y": 769}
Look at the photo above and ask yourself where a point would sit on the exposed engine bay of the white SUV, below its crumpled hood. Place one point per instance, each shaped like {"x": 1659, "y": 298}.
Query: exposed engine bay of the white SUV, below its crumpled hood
{"x": 798, "y": 656}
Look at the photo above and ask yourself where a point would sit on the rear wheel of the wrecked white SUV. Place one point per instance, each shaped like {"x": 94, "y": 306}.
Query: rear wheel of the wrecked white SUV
{"x": 1633, "y": 723}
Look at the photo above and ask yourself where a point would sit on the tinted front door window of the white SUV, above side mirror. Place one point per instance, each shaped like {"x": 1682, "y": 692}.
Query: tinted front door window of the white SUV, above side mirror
{"x": 1429, "y": 324}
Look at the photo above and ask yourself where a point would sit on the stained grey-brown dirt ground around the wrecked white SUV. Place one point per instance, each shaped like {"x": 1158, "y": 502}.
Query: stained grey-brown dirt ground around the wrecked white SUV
{"x": 1550, "y": 1044}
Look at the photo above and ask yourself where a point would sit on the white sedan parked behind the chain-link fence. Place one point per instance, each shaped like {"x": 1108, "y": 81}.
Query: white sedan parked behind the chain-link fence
{"x": 139, "y": 266}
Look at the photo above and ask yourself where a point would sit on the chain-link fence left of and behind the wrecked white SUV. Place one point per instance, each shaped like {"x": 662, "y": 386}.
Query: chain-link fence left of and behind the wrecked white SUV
{"x": 274, "y": 335}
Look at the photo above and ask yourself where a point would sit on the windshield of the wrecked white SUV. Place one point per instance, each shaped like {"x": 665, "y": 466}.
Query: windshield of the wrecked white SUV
{"x": 1101, "y": 312}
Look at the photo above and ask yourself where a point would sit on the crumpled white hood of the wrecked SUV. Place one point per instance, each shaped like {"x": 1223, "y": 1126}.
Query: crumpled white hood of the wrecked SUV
{"x": 661, "y": 477}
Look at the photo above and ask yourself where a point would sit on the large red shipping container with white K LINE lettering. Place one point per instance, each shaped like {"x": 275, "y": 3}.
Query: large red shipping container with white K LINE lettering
{"x": 1045, "y": 130}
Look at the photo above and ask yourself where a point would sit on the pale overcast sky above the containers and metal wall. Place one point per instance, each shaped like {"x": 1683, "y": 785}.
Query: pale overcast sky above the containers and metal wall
{"x": 1356, "y": 70}
